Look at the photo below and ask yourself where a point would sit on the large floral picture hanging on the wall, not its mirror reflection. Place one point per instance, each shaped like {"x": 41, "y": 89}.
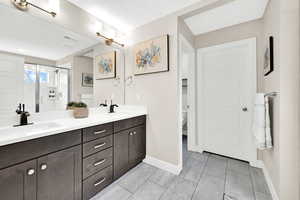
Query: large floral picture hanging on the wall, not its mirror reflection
{"x": 151, "y": 56}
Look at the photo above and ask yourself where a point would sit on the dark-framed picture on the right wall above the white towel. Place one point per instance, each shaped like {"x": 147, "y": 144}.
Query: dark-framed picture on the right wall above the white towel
{"x": 269, "y": 57}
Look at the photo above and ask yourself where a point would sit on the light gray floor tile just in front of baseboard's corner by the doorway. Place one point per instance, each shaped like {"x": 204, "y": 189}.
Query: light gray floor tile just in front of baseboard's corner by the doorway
{"x": 162, "y": 178}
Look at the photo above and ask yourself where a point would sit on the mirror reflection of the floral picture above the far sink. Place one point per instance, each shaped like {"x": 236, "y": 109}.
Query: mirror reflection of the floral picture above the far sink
{"x": 105, "y": 65}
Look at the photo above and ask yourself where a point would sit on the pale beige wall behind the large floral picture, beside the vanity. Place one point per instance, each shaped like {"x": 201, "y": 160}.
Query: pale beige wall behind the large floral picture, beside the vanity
{"x": 159, "y": 92}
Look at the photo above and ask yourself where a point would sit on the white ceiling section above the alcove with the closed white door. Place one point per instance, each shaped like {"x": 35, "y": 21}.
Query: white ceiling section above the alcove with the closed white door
{"x": 236, "y": 12}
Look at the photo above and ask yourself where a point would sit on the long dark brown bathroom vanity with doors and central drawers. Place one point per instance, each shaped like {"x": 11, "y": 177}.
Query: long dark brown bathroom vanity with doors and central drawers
{"x": 74, "y": 164}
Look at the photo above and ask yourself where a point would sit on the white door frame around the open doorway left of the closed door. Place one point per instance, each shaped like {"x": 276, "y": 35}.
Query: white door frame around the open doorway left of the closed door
{"x": 186, "y": 47}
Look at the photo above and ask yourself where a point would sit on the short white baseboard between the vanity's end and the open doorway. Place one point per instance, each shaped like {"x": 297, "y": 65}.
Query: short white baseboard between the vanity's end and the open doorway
{"x": 174, "y": 169}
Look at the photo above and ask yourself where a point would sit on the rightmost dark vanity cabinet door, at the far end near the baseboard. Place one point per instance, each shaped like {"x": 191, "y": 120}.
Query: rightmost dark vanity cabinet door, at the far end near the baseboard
{"x": 137, "y": 145}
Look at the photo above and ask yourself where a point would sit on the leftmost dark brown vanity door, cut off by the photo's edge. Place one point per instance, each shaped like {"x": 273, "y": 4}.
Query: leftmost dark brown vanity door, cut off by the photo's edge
{"x": 19, "y": 182}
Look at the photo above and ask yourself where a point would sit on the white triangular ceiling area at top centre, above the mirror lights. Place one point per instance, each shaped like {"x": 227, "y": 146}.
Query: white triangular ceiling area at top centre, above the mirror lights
{"x": 127, "y": 15}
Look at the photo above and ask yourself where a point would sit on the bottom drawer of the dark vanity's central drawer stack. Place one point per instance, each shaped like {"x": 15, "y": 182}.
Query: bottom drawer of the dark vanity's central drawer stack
{"x": 96, "y": 183}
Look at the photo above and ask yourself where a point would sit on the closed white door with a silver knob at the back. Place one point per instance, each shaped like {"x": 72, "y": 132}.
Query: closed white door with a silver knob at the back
{"x": 226, "y": 89}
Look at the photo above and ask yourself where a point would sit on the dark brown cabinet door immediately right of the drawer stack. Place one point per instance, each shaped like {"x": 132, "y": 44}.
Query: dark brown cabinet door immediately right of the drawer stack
{"x": 121, "y": 154}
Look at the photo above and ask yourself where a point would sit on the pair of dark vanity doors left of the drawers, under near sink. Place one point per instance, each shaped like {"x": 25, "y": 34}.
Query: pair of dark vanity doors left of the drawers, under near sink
{"x": 52, "y": 177}
